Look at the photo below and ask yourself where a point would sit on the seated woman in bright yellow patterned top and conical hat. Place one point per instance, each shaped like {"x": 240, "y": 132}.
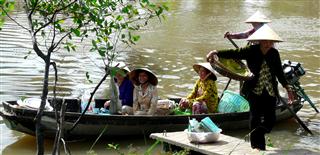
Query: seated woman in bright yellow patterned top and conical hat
{"x": 204, "y": 96}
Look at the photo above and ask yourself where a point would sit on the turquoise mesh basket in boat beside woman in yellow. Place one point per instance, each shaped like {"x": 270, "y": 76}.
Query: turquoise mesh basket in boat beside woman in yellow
{"x": 232, "y": 102}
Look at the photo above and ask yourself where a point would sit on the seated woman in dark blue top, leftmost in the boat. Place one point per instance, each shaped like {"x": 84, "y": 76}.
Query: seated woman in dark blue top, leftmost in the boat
{"x": 124, "y": 89}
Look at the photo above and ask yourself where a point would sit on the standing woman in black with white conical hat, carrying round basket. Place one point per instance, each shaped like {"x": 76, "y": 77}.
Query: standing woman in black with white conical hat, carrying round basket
{"x": 264, "y": 62}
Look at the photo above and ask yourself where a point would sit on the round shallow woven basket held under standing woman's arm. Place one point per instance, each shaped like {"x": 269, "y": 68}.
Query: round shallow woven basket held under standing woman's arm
{"x": 234, "y": 69}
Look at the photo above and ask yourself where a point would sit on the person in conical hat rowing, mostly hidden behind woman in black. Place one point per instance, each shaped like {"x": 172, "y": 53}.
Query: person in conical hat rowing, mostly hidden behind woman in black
{"x": 257, "y": 20}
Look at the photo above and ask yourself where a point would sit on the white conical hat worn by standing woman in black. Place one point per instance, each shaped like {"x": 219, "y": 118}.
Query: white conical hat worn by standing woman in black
{"x": 265, "y": 33}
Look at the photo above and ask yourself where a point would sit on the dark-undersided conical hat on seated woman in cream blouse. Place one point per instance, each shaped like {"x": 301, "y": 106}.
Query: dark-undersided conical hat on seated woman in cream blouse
{"x": 134, "y": 76}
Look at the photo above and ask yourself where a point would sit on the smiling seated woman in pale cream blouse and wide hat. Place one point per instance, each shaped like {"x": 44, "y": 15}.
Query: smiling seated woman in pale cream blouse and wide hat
{"x": 145, "y": 94}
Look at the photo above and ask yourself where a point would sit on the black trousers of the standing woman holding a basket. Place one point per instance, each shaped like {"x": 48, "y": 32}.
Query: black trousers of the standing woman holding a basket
{"x": 262, "y": 118}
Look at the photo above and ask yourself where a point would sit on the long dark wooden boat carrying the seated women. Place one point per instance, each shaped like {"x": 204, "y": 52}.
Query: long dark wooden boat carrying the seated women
{"x": 91, "y": 125}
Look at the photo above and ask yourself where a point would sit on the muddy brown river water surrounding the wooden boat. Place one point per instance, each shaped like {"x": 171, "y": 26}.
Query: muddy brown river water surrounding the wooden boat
{"x": 170, "y": 48}
